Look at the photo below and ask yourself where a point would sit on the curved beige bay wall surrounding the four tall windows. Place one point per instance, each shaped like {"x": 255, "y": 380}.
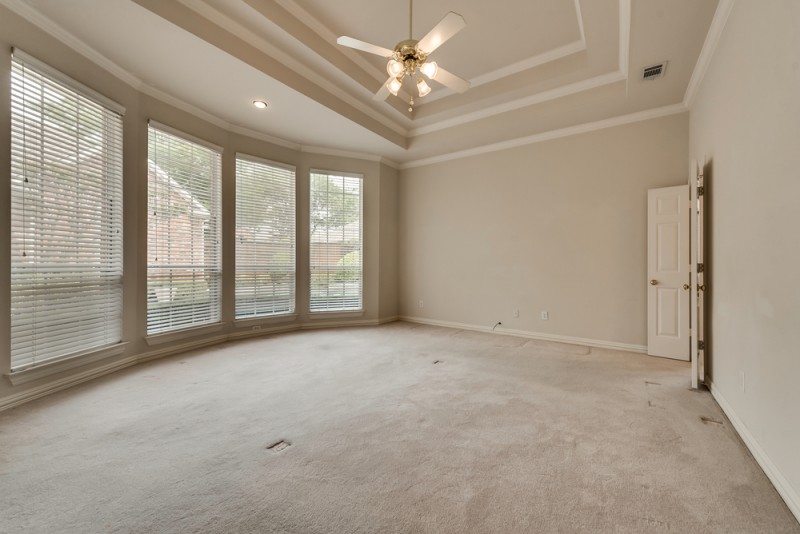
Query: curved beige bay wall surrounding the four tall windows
{"x": 379, "y": 206}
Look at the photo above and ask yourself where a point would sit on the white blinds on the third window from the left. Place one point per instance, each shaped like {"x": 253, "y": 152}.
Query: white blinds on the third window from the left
{"x": 265, "y": 238}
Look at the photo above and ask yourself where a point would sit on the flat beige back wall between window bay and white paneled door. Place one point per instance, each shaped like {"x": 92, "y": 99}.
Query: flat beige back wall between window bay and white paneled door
{"x": 558, "y": 226}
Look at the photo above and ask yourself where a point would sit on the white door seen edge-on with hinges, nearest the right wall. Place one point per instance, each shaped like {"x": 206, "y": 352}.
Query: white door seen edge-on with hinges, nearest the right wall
{"x": 697, "y": 189}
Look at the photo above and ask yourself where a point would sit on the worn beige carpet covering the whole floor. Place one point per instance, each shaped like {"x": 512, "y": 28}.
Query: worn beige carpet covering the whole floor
{"x": 502, "y": 435}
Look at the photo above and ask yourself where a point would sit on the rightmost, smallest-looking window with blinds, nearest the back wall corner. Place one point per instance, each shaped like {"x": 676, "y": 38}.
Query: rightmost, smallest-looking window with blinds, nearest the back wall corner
{"x": 336, "y": 246}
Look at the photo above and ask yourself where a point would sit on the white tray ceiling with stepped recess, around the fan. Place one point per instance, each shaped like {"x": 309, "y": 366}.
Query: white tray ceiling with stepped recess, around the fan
{"x": 535, "y": 67}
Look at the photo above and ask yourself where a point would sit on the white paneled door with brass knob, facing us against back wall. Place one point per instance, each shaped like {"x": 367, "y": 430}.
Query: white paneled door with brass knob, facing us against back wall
{"x": 668, "y": 272}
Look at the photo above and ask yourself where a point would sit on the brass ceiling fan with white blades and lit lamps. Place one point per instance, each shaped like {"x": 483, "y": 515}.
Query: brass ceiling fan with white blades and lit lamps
{"x": 409, "y": 58}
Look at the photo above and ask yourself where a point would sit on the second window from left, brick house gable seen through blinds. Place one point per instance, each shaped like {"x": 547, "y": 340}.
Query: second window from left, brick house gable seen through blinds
{"x": 183, "y": 231}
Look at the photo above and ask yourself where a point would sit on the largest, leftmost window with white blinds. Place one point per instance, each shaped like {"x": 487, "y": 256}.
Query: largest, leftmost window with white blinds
{"x": 66, "y": 217}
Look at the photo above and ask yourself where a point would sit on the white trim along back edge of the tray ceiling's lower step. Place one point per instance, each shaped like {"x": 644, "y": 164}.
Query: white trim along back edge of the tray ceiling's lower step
{"x": 538, "y": 98}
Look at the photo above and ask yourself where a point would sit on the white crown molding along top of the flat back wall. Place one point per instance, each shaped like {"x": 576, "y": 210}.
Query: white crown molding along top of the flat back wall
{"x": 553, "y": 134}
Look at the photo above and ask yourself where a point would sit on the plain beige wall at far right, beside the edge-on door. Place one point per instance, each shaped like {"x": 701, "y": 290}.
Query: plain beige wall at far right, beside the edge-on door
{"x": 746, "y": 121}
